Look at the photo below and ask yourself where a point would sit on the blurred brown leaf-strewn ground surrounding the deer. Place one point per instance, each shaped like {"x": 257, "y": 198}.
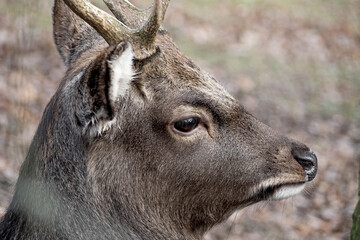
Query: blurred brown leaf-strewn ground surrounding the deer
{"x": 295, "y": 64}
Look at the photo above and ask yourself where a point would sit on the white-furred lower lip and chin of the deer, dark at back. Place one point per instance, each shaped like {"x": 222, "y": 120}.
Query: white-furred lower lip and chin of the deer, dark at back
{"x": 281, "y": 191}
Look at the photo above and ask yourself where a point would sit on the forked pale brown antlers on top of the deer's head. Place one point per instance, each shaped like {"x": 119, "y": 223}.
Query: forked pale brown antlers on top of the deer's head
{"x": 113, "y": 30}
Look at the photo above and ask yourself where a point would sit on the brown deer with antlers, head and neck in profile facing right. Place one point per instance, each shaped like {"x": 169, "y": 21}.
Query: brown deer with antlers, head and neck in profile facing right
{"x": 138, "y": 142}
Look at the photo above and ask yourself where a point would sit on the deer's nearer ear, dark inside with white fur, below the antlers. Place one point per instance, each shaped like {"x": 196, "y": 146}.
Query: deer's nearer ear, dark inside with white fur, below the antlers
{"x": 107, "y": 80}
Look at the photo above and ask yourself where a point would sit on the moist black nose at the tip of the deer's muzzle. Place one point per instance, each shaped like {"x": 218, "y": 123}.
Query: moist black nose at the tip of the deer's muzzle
{"x": 308, "y": 161}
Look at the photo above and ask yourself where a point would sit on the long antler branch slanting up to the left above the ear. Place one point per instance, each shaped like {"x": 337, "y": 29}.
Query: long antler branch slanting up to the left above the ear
{"x": 106, "y": 25}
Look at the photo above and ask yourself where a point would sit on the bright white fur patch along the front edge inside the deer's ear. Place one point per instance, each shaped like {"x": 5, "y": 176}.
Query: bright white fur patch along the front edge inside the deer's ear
{"x": 121, "y": 73}
